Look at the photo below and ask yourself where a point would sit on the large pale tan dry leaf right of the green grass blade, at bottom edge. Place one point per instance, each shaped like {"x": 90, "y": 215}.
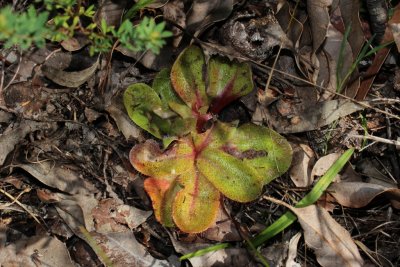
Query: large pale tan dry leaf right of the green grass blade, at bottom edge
{"x": 331, "y": 243}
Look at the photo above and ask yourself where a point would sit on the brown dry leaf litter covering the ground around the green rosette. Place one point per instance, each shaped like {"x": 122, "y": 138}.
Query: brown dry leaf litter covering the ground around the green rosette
{"x": 65, "y": 142}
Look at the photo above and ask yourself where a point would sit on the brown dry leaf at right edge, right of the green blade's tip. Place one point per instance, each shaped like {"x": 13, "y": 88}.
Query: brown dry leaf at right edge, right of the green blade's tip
{"x": 358, "y": 194}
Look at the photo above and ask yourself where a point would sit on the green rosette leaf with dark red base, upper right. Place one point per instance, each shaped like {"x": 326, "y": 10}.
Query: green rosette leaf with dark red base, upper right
{"x": 228, "y": 80}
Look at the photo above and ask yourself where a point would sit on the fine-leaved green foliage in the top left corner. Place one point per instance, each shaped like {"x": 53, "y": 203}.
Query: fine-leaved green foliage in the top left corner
{"x": 28, "y": 28}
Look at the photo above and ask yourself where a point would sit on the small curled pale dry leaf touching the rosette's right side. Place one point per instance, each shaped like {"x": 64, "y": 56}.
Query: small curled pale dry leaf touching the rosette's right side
{"x": 303, "y": 159}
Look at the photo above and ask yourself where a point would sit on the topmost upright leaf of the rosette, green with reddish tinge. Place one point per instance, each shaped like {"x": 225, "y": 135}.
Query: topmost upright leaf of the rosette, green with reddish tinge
{"x": 188, "y": 78}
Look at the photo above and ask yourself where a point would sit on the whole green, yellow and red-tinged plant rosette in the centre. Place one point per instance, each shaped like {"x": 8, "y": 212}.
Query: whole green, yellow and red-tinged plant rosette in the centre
{"x": 204, "y": 159}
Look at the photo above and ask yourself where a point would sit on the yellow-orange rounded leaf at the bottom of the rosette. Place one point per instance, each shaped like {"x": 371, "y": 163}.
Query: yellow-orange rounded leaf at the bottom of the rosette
{"x": 196, "y": 206}
